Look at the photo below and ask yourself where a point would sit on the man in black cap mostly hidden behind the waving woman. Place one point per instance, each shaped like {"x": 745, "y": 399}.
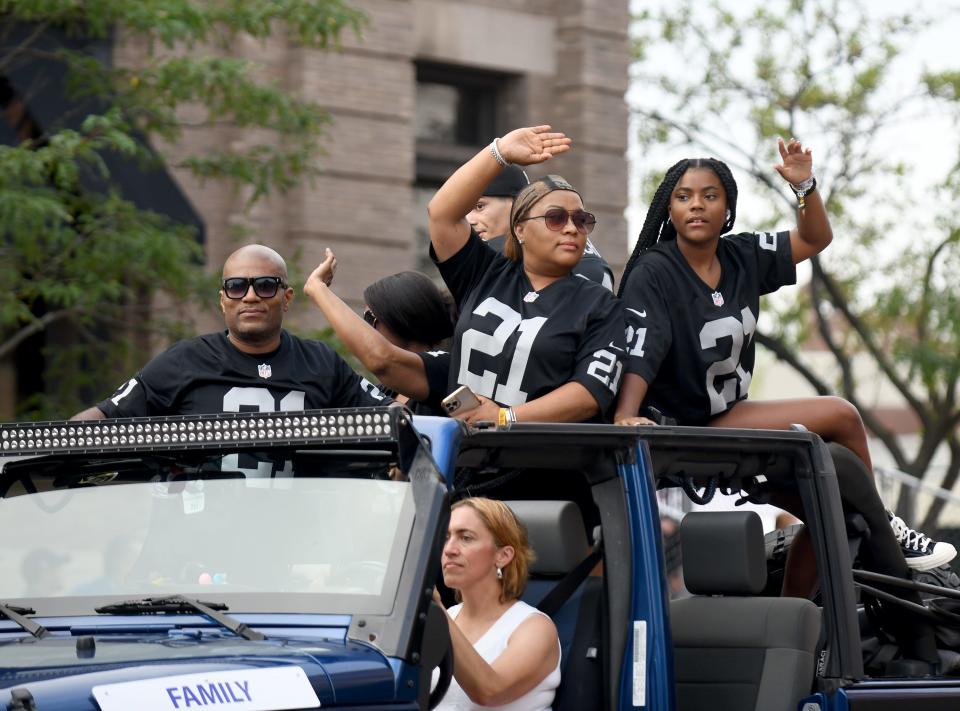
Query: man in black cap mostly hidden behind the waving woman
{"x": 490, "y": 219}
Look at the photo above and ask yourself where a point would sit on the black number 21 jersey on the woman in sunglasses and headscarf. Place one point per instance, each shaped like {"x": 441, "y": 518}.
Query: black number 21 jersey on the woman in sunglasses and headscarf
{"x": 513, "y": 344}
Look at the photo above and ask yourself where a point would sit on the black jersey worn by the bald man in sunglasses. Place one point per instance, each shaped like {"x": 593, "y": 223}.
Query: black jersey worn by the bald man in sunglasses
{"x": 208, "y": 374}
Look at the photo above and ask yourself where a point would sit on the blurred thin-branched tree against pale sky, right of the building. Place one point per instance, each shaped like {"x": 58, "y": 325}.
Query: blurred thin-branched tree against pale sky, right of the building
{"x": 887, "y": 288}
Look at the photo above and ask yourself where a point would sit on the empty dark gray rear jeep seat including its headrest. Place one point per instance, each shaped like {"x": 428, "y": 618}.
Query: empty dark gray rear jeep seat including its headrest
{"x": 732, "y": 650}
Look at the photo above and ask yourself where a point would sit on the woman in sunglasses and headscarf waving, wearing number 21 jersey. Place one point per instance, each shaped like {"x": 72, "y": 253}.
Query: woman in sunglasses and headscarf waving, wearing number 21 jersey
{"x": 533, "y": 341}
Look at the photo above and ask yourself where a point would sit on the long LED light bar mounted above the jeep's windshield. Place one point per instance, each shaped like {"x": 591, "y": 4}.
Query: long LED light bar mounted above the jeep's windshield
{"x": 368, "y": 425}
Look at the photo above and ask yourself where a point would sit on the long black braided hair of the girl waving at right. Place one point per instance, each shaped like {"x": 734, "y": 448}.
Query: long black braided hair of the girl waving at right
{"x": 657, "y": 226}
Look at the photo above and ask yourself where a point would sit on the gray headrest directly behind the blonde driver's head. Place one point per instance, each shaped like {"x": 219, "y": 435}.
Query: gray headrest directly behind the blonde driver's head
{"x": 557, "y": 534}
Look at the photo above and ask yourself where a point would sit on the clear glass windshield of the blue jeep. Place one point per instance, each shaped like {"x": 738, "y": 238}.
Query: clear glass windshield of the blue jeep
{"x": 262, "y": 530}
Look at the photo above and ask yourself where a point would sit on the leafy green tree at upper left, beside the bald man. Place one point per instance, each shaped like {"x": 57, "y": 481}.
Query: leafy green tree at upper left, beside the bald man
{"x": 76, "y": 255}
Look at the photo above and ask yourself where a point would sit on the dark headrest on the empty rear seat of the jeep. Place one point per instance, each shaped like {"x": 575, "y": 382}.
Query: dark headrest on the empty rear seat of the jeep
{"x": 723, "y": 552}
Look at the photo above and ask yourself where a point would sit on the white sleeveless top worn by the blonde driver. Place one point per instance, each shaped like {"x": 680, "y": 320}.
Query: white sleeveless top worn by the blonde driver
{"x": 490, "y": 646}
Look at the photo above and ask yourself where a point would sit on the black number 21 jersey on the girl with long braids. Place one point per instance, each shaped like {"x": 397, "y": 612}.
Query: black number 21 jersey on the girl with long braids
{"x": 693, "y": 345}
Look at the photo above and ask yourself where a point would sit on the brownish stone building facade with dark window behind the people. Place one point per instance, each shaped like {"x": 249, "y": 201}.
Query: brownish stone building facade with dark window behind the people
{"x": 427, "y": 85}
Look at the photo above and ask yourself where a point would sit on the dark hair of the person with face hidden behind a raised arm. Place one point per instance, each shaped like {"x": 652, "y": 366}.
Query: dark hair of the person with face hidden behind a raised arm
{"x": 411, "y": 306}
